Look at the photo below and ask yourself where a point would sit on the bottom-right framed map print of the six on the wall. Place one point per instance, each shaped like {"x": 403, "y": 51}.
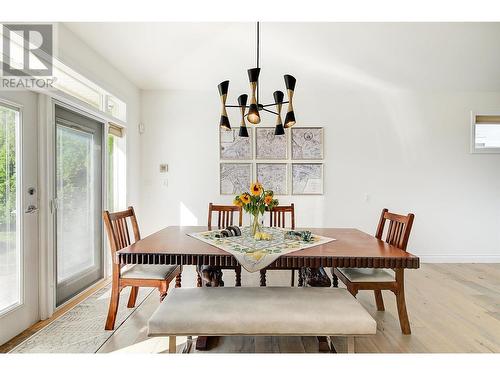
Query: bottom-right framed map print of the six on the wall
{"x": 307, "y": 178}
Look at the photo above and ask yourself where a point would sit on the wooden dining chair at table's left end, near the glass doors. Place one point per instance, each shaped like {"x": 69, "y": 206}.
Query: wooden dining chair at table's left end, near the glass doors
{"x": 157, "y": 276}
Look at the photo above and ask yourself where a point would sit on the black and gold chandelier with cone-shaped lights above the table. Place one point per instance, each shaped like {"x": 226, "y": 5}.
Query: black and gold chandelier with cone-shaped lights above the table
{"x": 255, "y": 107}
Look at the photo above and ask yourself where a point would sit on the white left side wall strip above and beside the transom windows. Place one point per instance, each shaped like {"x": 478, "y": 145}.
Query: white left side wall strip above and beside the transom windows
{"x": 79, "y": 56}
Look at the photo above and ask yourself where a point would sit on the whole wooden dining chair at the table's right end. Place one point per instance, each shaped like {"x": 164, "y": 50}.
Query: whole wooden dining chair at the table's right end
{"x": 378, "y": 279}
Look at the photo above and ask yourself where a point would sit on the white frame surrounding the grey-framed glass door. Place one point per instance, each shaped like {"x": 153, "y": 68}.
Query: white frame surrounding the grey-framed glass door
{"x": 47, "y": 240}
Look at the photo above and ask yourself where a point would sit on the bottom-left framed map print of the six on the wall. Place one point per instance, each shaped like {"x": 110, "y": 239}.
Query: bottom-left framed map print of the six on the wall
{"x": 235, "y": 178}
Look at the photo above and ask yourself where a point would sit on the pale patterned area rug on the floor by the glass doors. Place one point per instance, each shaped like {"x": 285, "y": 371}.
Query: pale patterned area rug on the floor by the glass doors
{"x": 81, "y": 329}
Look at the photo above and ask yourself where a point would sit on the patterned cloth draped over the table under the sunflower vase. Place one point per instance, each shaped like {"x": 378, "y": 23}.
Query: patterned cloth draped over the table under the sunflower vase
{"x": 255, "y": 255}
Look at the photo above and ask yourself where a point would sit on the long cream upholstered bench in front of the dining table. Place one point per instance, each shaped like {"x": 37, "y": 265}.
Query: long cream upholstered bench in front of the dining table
{"x": 270, "y": 311}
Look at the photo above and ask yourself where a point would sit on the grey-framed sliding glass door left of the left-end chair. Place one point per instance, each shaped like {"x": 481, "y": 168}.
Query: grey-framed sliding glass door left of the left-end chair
{"x": 78, "y": 202}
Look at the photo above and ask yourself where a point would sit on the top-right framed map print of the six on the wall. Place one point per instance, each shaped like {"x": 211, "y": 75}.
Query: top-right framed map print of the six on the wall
{"x": 307, "y": 143}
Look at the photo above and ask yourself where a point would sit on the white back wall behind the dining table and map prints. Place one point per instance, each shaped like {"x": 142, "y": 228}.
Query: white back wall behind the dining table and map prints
{"x": 407, "y": 150}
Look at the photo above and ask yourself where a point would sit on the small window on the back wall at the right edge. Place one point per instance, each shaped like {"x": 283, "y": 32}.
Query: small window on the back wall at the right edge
{"x": 485, "y": 134}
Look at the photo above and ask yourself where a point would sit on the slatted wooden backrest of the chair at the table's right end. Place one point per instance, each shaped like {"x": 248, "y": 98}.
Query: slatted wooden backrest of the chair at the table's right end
{"x": 398, "y": 232}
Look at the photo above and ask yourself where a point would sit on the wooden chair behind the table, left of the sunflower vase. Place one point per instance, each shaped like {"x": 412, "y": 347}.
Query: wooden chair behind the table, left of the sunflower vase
{"x": 225, "y": 218}
